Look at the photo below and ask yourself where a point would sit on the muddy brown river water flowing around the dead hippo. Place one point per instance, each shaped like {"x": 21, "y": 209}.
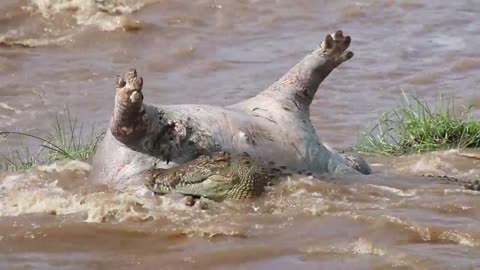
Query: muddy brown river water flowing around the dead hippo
{"x": 66, "y": 53}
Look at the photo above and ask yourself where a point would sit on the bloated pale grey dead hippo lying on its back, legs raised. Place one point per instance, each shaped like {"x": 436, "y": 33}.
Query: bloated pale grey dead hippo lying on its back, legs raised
{"x": 274, "y": 126}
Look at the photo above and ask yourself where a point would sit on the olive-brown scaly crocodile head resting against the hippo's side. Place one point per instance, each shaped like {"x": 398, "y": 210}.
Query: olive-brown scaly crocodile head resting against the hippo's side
{"x": 218, "y": 177}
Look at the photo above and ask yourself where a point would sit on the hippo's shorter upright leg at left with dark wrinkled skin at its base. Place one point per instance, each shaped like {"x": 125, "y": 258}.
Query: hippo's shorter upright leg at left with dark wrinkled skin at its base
{"x": 152, "y": 130}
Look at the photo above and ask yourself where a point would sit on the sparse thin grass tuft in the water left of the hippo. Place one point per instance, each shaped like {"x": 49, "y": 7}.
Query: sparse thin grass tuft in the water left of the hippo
{"x": 68, "y": 139}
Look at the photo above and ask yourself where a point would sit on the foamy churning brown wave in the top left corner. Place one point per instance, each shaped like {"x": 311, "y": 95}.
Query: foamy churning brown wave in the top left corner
{"x": 57, "y": 22}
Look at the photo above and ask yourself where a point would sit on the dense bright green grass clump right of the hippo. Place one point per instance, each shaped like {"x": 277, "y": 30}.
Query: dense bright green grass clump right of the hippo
{"x": 415, "y": 127}
